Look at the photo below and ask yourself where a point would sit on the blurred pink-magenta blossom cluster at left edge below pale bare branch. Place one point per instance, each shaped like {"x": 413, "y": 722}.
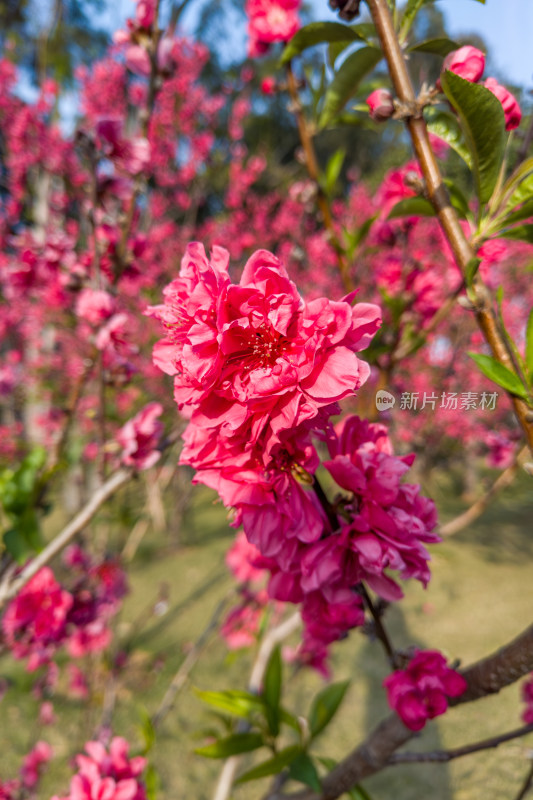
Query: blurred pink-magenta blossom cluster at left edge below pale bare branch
{"x": 44, "y": 616}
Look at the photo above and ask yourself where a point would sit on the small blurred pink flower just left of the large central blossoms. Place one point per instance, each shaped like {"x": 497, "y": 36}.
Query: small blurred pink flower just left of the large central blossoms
{"x": 140, "y": 436}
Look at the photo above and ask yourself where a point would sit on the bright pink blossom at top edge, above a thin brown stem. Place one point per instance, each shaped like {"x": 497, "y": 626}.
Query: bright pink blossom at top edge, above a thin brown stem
{"x": 270, "y": 21}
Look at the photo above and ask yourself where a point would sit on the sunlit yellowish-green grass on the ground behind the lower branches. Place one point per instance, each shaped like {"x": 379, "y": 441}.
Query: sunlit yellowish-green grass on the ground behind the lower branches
{"x": 479, "y": 598}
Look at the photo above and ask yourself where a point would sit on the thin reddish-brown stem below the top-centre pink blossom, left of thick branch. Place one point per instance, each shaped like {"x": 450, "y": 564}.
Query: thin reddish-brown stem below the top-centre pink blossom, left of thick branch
{"x": 313, "y": 171}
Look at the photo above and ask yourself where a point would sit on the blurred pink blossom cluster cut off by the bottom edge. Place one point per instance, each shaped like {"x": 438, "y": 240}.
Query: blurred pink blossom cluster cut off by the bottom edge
{"x": 107, "y": 774}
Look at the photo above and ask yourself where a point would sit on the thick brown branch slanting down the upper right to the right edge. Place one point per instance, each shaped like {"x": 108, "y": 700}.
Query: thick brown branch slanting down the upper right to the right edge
{"x": 438, "y": 195}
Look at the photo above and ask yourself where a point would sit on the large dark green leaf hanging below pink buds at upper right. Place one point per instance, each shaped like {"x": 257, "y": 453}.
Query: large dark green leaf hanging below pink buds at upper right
{"x": 483, "y": 124}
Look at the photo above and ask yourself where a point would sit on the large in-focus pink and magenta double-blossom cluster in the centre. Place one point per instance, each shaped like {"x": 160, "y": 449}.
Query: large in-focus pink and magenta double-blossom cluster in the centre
{"x": 259, "y": 372}
